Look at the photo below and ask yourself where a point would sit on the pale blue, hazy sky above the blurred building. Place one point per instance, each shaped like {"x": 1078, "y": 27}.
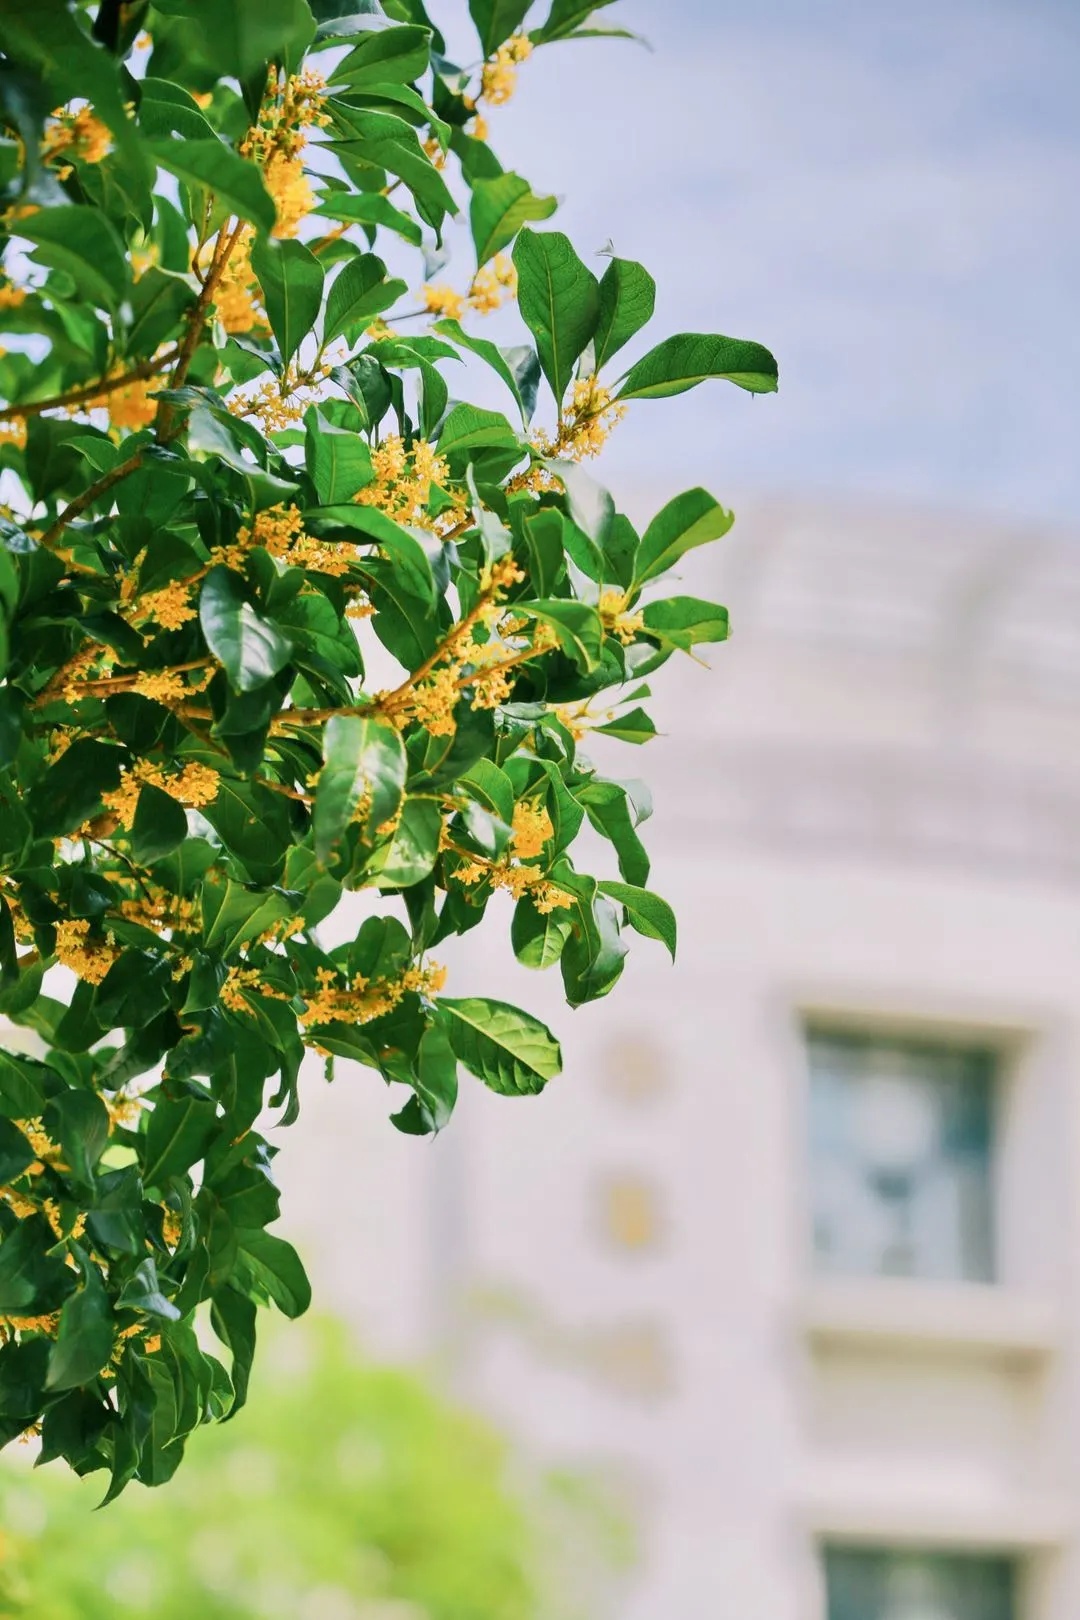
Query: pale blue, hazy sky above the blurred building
{"x": 887, "y": 197}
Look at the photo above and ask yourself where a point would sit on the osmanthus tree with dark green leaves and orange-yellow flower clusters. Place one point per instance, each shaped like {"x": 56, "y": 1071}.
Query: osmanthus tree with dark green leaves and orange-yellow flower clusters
{"x": 232, "y": 467}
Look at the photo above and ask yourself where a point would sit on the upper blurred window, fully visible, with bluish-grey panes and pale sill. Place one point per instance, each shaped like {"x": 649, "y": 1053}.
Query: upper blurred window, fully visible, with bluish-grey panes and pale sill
{"x": 901, "y": 1157}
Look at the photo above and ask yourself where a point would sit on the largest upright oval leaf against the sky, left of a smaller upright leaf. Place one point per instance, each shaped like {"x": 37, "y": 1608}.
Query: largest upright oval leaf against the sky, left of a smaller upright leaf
{"x": 559, "y": 302}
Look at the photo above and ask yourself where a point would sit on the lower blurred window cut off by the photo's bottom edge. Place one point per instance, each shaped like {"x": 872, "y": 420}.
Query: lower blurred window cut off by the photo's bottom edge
{"x": 870, "y": 1585}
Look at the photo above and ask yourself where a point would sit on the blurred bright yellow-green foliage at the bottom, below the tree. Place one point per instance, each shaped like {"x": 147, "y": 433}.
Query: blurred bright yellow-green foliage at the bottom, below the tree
{"x": 351, "y": 1493}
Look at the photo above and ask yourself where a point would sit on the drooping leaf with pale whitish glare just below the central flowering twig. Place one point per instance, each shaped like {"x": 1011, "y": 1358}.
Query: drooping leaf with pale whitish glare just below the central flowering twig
{"x": 364, "y": 759}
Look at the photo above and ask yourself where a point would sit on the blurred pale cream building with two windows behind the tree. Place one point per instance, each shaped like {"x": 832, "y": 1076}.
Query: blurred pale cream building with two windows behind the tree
{"x": 794, "y": 1243}
